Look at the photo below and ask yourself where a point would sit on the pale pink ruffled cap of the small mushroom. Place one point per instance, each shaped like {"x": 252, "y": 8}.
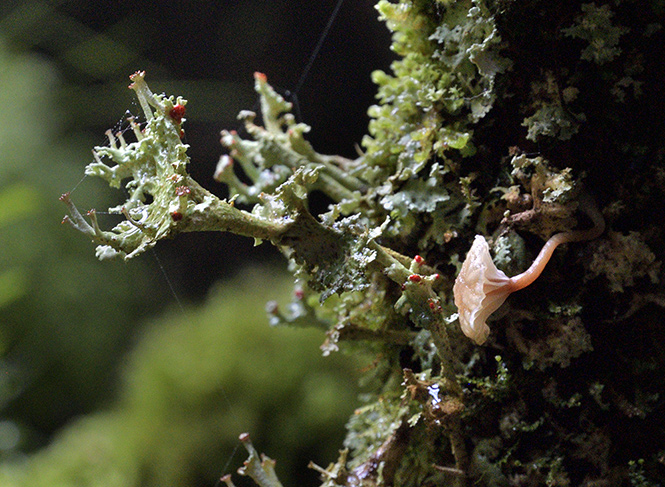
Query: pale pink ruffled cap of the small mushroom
{"x": 479, "y": 290}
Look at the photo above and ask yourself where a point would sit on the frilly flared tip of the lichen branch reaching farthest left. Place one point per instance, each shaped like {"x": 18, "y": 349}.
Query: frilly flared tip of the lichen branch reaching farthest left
{"x": 155, "y": 165}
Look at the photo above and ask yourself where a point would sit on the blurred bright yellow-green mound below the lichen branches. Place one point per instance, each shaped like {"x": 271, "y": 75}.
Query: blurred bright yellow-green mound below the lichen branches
{"x": 196, "y": 379}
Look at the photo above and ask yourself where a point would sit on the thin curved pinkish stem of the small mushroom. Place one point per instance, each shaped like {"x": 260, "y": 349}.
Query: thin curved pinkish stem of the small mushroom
{"x": 522, "y": 280}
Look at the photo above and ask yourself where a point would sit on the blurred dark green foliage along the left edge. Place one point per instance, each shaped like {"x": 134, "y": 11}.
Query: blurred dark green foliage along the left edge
{"x": 65, "y": 318}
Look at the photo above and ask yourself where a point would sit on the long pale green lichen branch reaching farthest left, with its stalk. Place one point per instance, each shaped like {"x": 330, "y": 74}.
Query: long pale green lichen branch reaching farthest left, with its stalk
{"x": 163, "y": 200}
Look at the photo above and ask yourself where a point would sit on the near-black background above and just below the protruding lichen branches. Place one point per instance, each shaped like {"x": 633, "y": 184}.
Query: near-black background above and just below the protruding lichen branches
{"x": 207, "y": 52}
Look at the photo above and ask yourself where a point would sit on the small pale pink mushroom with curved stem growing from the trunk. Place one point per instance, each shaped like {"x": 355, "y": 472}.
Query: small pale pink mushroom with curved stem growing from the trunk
{"x": 480, "y": 288}
